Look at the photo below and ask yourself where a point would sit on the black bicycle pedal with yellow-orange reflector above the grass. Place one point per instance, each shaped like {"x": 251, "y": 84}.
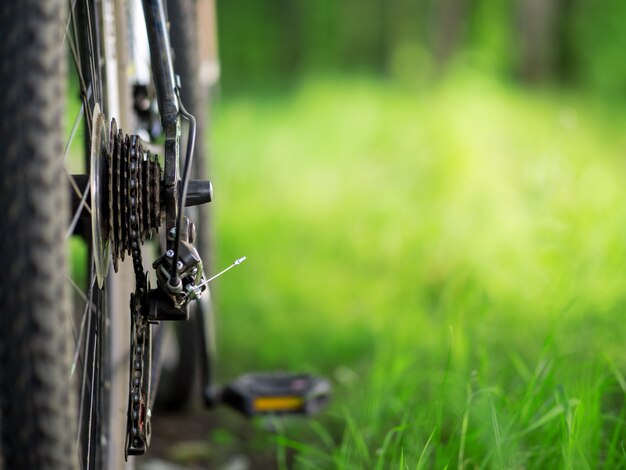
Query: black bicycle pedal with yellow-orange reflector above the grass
{"x": 256, "y": 394}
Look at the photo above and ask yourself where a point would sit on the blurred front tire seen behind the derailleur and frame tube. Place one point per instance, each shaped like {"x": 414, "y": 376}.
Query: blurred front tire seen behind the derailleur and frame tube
{"x": 179, "y": 374}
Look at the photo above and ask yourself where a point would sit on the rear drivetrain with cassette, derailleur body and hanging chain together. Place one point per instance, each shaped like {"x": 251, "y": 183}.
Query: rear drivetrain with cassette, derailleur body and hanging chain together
{"x": 128, "y": 205}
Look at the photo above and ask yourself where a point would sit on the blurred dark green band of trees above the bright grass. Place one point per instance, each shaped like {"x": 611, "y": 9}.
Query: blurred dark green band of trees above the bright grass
{"x": 573, "y": 41}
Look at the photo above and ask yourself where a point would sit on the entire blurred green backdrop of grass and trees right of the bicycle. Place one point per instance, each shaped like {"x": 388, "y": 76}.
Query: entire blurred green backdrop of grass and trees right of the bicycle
{"x": 431, "y": 197}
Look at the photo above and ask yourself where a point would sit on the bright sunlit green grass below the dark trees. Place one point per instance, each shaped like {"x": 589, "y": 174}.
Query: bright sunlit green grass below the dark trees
{"x": 453, "y": 258}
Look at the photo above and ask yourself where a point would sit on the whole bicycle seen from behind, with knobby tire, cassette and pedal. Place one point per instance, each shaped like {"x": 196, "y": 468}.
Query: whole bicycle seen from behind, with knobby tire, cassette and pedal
{"x": 78, "y": 383}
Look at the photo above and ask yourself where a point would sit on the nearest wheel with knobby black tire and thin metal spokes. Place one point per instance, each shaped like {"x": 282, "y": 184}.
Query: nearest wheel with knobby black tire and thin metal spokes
{"x": 53, "y": 351}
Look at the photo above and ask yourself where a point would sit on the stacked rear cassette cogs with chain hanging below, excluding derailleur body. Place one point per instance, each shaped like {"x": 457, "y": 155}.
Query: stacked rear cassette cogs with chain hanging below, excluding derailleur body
{"x": 134, "y": 214}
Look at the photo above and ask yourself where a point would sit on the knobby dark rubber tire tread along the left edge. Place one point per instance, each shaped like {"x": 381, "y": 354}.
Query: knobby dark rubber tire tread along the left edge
{"x": 36, "y": 399}
